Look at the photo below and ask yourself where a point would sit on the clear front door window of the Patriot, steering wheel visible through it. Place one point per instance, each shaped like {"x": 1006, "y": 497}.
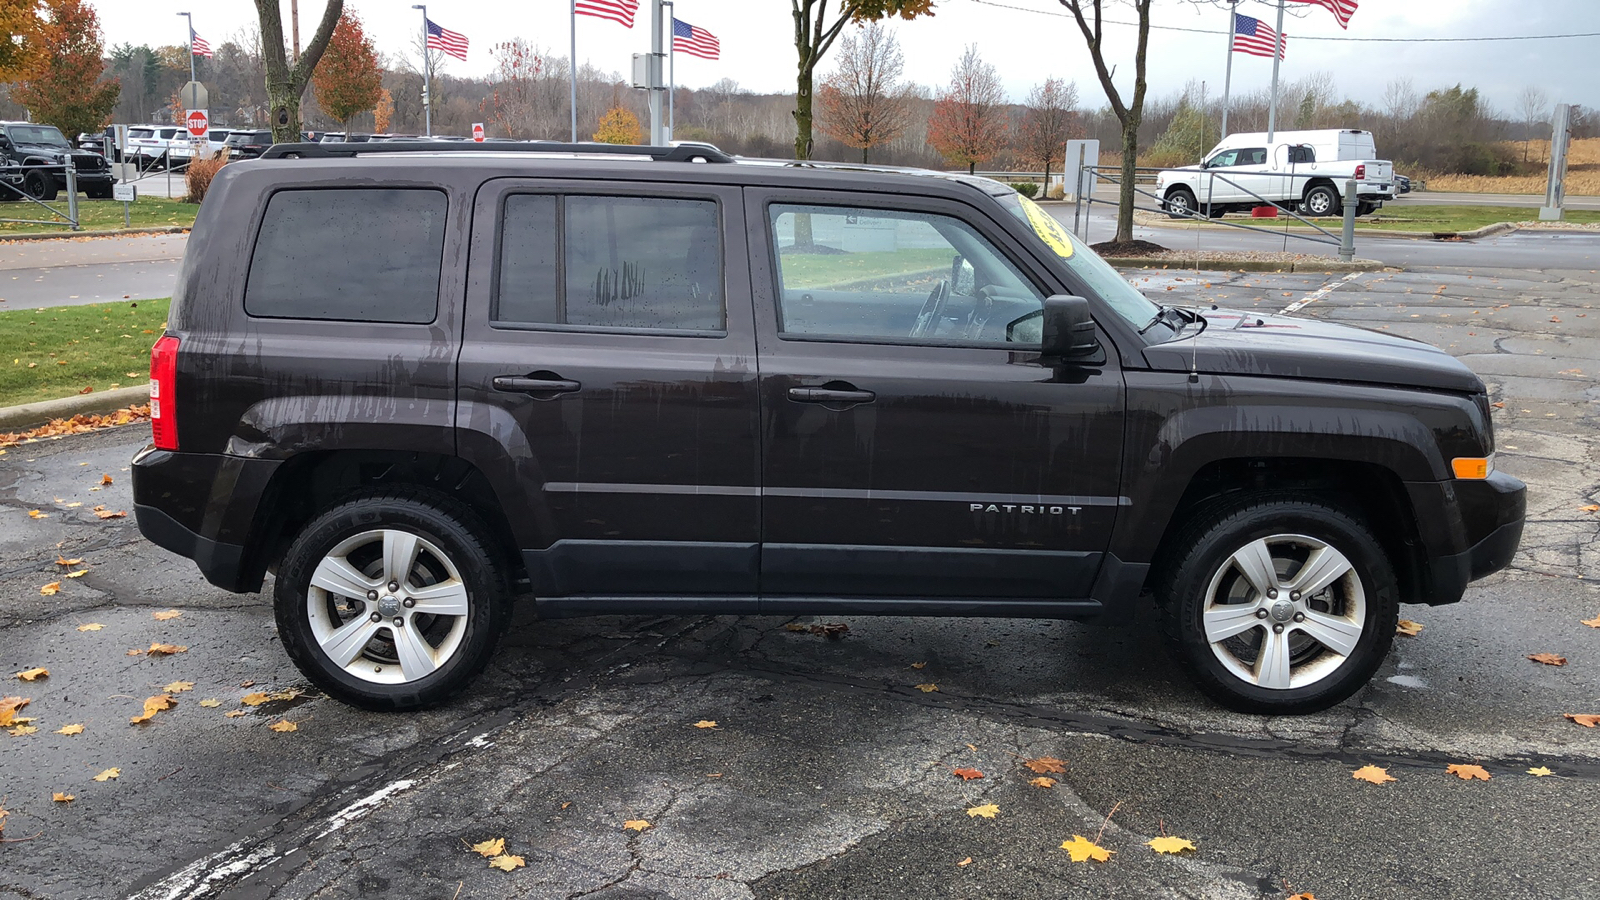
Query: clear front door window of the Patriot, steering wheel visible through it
{"x": 895, "y": 276}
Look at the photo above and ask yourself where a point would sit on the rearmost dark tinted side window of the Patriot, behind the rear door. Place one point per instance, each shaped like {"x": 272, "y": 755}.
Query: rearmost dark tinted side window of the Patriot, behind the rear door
{"x": 366, "y": 255}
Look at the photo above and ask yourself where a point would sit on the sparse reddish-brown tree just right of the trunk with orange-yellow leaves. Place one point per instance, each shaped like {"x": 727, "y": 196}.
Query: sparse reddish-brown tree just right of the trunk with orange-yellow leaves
{"x": 865, "y": 103}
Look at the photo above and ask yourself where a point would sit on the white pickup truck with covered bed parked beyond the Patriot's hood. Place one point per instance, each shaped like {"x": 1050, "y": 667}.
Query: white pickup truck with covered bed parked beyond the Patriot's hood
{"x": 1298, "y": 171}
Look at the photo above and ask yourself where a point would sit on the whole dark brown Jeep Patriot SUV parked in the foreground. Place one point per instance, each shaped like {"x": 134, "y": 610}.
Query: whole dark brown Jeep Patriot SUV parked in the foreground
{"x": 641, "y": 380}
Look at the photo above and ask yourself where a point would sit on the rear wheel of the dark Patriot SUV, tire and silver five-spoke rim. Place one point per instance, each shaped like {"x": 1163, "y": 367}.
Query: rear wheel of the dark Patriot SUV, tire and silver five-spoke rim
{"x": 350, "y": 545}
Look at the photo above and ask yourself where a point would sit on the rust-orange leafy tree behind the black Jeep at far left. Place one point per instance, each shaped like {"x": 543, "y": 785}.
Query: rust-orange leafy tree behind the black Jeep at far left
{"x": 62, "y": 84}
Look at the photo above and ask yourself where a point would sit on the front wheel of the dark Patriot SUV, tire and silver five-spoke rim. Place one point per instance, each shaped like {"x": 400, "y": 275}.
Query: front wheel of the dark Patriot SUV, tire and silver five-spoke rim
{"x": 1335, "y": 638}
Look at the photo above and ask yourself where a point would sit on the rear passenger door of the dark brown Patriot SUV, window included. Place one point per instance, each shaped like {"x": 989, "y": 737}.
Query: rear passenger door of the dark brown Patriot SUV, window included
{"x": 609, "y": 385}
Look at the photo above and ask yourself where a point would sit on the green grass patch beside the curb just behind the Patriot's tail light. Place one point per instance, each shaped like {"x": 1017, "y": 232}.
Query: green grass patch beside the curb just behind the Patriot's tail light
{"x": 62, "y": 350}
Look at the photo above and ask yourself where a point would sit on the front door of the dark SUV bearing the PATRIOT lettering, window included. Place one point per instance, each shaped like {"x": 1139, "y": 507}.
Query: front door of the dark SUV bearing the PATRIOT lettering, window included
{"x": 914, "y": 446}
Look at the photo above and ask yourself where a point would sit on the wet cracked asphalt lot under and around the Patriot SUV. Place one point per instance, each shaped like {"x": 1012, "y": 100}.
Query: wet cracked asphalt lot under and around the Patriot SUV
{"x": 830, "y": 774}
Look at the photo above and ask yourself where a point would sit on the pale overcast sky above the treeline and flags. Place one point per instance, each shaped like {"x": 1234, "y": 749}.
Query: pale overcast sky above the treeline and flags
{"x": 1028, "y": 42}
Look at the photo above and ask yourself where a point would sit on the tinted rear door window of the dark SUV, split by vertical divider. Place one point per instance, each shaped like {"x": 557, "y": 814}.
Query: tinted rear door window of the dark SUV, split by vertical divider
{"x": 614, "y": 263}
